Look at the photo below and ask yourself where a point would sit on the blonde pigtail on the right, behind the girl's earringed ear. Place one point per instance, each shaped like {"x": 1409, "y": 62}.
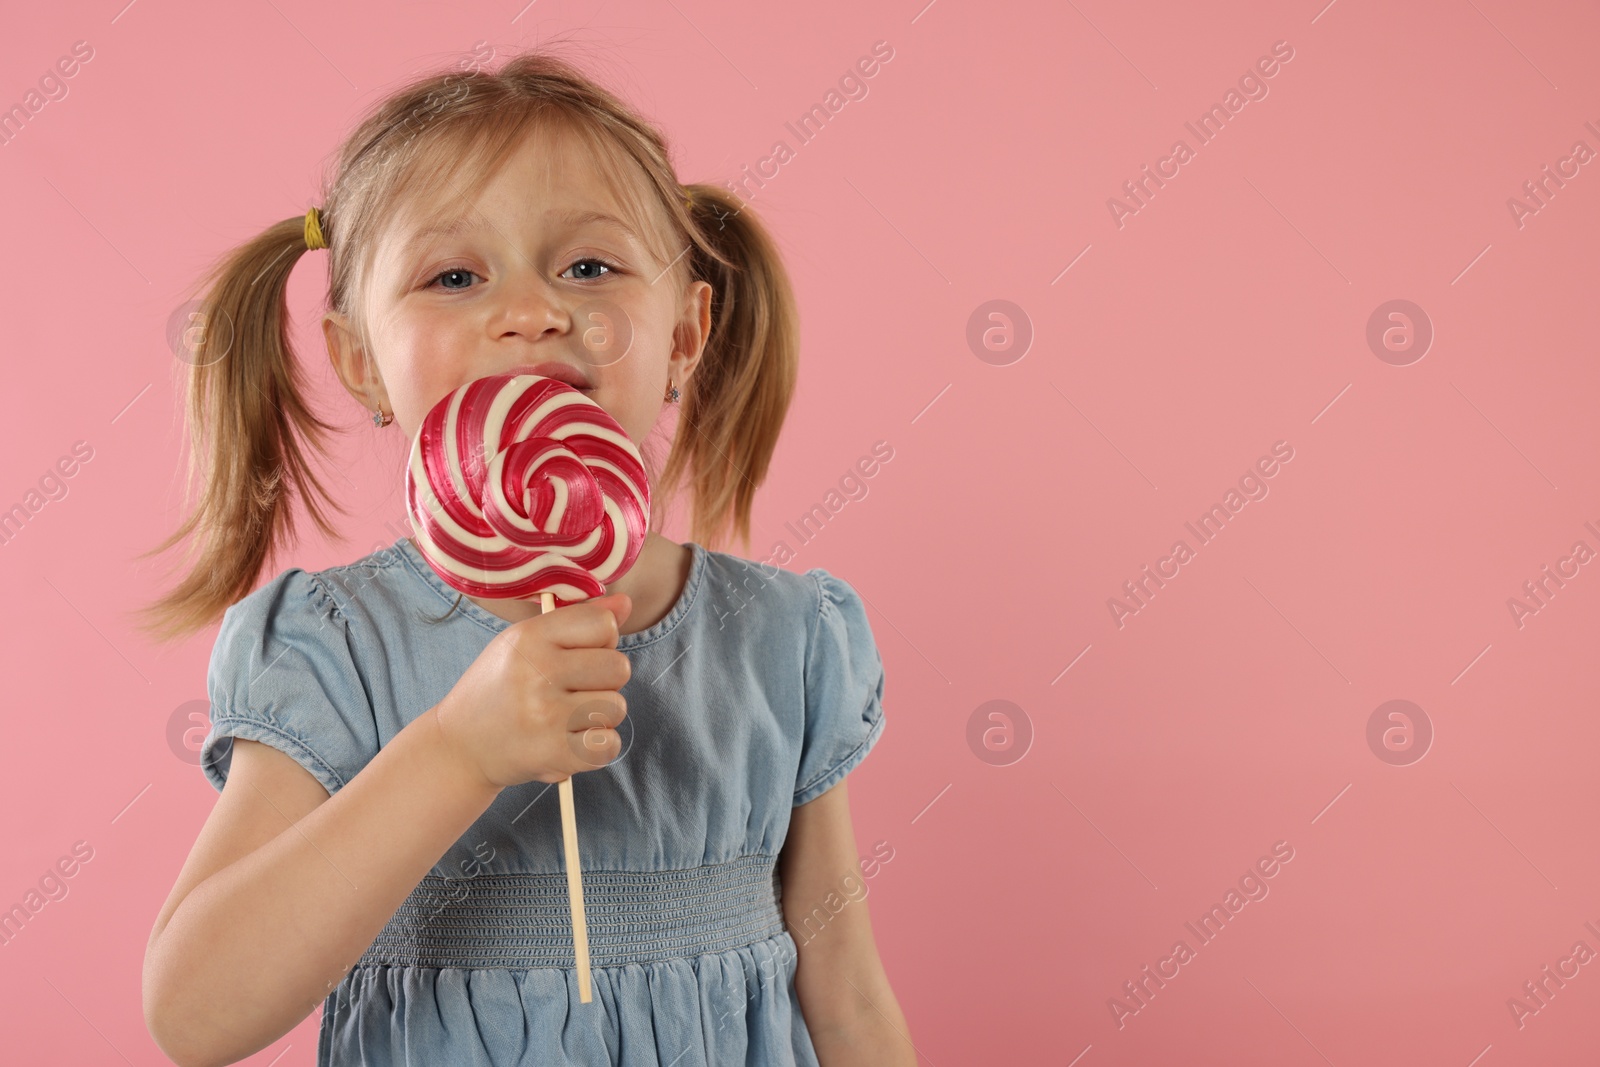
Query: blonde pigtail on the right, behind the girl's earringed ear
{"x": 737, "y": 399}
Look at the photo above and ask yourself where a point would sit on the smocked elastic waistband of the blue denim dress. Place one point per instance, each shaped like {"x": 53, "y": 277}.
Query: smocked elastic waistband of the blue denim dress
{"x": 633, "y": 917}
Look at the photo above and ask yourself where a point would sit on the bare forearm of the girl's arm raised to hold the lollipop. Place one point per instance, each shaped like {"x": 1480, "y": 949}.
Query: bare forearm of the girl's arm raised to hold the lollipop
{"x": 255, "y": 948}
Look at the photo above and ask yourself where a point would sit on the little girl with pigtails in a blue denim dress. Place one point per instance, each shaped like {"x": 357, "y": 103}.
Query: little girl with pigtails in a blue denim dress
{"x": 386, "y": 841}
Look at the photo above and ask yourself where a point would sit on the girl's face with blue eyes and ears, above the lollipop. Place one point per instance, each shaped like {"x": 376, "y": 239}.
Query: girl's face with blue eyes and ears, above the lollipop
{"x": 526, "y": 281}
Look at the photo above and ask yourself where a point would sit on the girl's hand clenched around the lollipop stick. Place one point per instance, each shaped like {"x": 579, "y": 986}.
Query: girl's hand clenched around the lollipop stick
{"x": 542, "y": 701}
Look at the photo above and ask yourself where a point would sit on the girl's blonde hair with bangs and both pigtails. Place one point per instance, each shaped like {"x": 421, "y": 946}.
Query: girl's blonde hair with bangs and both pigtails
{"x": 249, "y": 422}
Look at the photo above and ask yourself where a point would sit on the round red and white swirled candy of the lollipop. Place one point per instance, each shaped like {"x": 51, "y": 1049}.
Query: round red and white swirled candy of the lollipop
{"x": 522, "y": 486}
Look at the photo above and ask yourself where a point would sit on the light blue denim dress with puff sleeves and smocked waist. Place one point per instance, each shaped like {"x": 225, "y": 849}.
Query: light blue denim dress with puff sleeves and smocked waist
{"x": 758, "y": 692}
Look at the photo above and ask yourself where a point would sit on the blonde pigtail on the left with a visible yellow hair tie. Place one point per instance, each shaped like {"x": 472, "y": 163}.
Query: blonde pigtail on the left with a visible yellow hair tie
{"x": 249, "y": 430}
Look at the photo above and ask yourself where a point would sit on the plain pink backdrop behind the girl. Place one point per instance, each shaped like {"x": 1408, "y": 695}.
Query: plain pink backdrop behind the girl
{"x": 1225, "y": 316}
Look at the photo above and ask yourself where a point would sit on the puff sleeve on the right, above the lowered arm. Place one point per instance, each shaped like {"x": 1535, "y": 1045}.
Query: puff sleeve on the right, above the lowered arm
{"x": 844, "y": 690}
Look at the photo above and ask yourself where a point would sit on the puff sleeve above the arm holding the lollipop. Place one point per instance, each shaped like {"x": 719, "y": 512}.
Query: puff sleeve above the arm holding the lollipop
{"x": 284, "y": 673}
